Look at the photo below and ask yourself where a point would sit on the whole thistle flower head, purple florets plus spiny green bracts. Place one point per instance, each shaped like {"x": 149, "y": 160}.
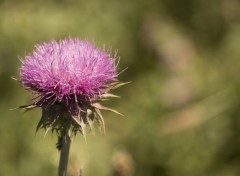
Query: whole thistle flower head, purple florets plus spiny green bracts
{"x": 69, "y": 78}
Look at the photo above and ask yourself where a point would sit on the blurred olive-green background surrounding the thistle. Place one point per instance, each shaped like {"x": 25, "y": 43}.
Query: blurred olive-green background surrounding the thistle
{"x": 182, "y": 109}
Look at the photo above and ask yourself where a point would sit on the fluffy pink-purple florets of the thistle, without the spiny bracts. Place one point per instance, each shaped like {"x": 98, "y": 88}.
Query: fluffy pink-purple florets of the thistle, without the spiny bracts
{"x": 71, "y": 67}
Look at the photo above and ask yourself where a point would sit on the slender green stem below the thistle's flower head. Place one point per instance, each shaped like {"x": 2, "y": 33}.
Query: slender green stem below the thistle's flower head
{"x": 63, "y": 162}
